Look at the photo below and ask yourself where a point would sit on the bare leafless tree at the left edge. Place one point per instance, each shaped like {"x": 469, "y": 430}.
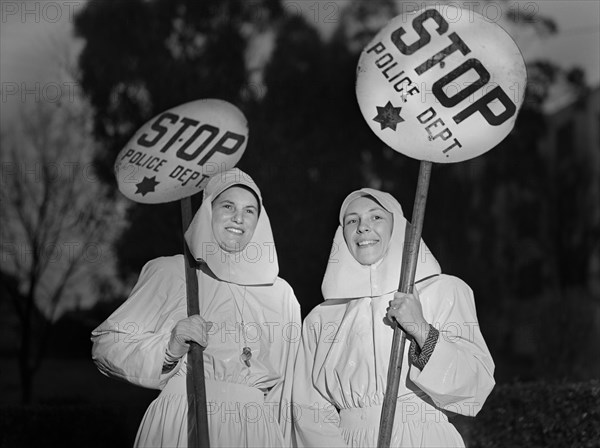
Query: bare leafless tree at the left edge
{"x": 52, "y": 214}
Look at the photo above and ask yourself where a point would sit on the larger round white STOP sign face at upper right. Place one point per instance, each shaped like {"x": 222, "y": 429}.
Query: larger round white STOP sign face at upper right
{"x": 441, "y": 84}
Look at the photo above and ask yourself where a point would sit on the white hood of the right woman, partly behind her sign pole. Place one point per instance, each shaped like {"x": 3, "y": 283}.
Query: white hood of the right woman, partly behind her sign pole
{"x": 347, "y": 278}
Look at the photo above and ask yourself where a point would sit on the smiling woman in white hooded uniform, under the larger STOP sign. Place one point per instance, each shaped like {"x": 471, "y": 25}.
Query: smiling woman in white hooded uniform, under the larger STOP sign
{"x": 341, "y": 370}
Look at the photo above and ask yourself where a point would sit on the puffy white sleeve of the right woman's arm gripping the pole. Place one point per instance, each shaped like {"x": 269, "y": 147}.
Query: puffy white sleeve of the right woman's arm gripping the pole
{"x": 459, "y": 375}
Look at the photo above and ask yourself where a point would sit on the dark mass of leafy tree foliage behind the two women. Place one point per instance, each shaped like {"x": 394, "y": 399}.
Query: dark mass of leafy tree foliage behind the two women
{"x": 498, "y": 221}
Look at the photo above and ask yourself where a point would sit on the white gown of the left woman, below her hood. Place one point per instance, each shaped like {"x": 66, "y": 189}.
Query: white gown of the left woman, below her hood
{"x": 131, "y": 344}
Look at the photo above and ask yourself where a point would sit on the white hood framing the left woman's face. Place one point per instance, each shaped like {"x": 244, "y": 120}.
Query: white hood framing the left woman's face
{"x": 257, "y": 263}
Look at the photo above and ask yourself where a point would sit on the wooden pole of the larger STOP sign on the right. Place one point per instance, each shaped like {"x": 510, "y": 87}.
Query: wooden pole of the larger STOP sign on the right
{"x": 407, "y": 280}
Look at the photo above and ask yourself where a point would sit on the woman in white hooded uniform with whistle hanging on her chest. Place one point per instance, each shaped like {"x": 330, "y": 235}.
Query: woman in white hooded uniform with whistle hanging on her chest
{"x": 249, "y": 322}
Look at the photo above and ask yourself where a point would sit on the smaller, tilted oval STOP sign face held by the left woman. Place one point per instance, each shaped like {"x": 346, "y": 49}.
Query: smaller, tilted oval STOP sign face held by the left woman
{"x": 174, "y": 154}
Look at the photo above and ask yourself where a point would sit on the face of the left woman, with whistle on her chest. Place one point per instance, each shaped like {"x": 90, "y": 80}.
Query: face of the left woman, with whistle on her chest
{"x": 234, "y": 218}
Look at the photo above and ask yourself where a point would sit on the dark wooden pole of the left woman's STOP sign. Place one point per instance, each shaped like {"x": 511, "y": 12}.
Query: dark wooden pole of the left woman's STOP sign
{"x": 196, "y": 390}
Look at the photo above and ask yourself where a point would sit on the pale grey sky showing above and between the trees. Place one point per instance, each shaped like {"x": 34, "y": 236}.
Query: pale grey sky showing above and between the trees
{"x": 36, "y": 37}
